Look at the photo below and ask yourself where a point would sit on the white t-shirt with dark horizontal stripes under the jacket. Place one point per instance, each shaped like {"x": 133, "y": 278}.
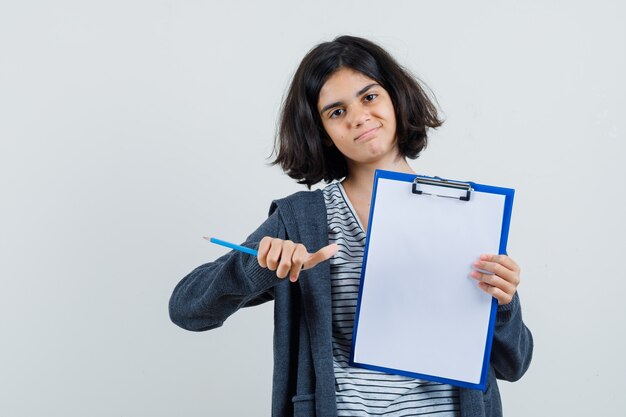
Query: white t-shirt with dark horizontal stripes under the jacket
{"x": 361, "y": 392}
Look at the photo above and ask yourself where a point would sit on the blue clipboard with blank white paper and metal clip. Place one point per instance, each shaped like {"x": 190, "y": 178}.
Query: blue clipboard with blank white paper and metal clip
{"x": 419, "y": 313}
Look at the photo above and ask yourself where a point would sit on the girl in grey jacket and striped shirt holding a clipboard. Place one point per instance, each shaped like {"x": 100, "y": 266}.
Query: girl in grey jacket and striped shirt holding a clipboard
{"x": 350, "y": 109}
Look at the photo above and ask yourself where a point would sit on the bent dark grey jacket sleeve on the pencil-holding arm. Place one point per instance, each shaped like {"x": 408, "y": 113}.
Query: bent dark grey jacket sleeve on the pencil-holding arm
{"x": 206, "y": 297}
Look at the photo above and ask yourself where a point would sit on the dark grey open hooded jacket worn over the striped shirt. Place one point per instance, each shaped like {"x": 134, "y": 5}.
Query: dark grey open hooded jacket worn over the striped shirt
{"x": 303, "y": 381}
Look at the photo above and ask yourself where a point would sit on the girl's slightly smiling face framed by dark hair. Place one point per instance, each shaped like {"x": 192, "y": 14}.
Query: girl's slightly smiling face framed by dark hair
{"x": 359, "y": 117}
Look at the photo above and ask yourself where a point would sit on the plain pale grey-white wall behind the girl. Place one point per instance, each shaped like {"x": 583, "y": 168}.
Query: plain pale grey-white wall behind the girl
{"x": 129, "y": 129}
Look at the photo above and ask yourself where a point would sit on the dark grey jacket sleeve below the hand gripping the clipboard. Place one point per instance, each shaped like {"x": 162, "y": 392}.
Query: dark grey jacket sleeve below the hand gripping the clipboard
{"x": 512, "y": 342}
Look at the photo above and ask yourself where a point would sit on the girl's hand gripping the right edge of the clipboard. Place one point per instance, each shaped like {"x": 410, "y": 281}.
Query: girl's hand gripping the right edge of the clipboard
{"x": 497, "y": 275}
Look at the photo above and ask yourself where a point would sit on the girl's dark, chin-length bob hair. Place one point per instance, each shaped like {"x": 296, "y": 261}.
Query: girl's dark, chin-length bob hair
{"x": 300, "y": 140}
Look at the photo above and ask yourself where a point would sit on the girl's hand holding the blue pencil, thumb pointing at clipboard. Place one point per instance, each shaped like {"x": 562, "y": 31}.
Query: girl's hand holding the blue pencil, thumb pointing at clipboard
{"x": 289, "y": 258}
